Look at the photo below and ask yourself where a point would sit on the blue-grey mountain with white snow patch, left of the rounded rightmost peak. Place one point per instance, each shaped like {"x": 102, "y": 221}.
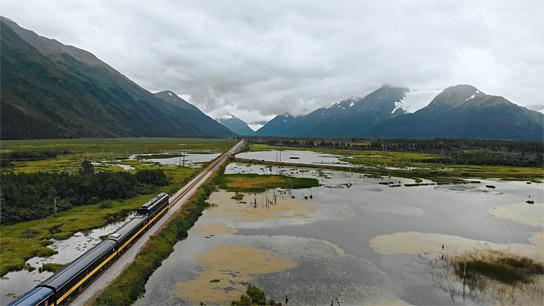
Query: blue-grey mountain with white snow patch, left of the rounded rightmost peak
{"x": 347, "y": 118}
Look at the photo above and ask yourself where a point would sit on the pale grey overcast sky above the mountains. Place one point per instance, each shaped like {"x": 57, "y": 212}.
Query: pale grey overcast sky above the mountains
{"x": 256, "y": 59}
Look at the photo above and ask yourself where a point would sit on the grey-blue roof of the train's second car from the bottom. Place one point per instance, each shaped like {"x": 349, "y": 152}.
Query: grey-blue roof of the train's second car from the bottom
{"x": 72, "y": 269}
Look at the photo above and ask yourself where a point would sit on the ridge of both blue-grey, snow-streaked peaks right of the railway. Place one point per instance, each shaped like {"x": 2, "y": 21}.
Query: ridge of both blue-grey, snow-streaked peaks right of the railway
{"x": 460, "y": 111}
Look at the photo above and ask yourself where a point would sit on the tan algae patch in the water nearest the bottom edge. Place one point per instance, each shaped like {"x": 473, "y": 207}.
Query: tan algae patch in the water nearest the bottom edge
{"x": 232, "y": 266}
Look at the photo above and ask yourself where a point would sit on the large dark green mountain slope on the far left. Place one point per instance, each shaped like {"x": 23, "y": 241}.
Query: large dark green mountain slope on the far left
{"x": 49, "y": 90}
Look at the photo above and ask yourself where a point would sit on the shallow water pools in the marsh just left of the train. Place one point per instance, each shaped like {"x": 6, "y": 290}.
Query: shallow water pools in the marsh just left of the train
{"x": 18, "y": 283}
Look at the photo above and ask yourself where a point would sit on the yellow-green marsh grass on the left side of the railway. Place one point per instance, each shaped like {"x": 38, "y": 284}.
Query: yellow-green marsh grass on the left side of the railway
{"x": 25, "y": 240}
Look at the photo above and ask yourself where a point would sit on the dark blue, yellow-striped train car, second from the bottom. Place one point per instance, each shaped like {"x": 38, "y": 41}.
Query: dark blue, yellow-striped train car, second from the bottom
{"x": 68, "y": 281}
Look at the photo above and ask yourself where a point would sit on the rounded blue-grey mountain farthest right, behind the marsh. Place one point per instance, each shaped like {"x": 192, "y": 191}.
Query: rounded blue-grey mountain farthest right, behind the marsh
{"x": 463, "y": 111}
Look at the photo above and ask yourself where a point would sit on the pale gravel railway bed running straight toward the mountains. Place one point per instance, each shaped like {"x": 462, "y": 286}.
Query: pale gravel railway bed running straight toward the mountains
{"x": 176, "y": 202}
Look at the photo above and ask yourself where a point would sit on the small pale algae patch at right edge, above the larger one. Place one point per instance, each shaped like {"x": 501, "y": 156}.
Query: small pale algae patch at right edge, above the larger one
{"x": 521, "y": 212}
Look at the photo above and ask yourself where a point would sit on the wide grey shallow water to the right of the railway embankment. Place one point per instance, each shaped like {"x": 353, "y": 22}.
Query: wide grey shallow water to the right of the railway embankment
{"x": 328, "y": 238}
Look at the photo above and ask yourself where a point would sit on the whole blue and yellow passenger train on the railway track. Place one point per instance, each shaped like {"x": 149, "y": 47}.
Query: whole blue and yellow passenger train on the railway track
{"x": 64, "y": 285}
